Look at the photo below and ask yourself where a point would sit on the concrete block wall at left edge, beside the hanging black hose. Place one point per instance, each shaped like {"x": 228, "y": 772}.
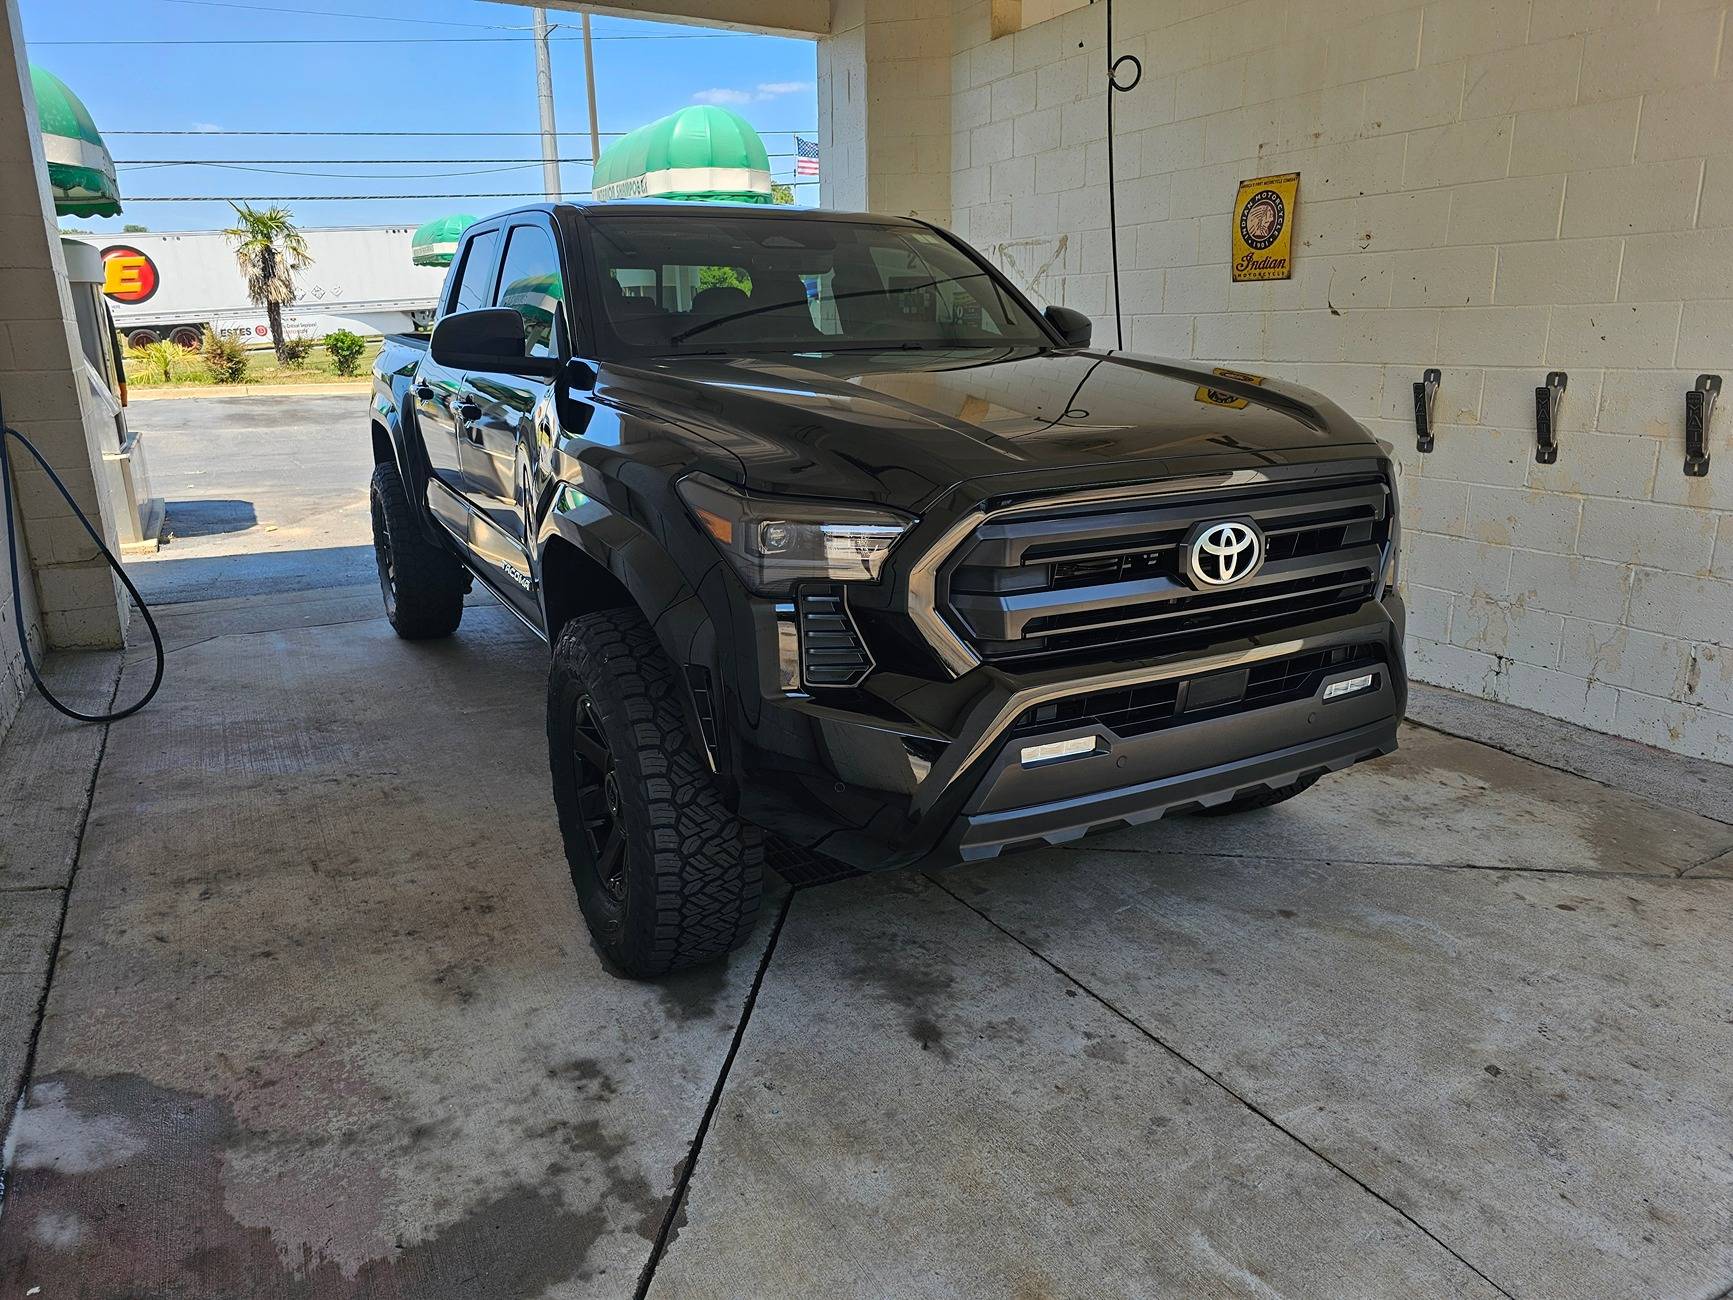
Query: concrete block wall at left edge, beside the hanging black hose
{"x": 70, "y": 595}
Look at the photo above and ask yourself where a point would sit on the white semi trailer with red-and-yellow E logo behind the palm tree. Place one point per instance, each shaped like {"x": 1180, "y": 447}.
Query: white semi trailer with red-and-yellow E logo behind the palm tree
{"x": 172, "y": 285}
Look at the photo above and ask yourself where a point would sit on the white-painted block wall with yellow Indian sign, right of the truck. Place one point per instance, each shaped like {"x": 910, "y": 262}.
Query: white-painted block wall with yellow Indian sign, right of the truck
{"x": 1496, "y": 188}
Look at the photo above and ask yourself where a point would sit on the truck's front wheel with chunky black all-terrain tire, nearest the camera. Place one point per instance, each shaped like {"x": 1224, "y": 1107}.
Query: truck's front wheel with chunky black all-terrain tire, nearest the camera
{"x": 666, "y": 874}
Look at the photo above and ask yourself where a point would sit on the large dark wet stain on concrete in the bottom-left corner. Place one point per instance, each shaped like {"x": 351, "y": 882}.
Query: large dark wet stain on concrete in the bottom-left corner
{"x": 120, "y": 1192}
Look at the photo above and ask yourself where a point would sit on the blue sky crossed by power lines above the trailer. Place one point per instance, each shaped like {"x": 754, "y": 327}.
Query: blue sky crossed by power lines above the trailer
{"x": 458, "y": 67}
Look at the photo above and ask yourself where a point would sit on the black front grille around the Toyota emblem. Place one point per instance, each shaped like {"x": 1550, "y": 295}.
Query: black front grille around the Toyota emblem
{"x": 1030, "y": 588}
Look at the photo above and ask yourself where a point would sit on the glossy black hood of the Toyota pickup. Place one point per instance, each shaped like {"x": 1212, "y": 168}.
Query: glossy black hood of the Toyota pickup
{"x": 904, "y": 427}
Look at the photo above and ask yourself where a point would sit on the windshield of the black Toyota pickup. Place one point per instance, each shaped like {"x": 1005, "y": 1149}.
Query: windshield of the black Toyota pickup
{"x": 724, "y": 283}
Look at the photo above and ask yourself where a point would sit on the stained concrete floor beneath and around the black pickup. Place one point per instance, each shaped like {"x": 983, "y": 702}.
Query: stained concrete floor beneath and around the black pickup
{"x": 325, "y": 1020}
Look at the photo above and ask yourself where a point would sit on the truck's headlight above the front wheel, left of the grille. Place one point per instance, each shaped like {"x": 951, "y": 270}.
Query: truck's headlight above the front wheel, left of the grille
{"x": 776, "y": 542}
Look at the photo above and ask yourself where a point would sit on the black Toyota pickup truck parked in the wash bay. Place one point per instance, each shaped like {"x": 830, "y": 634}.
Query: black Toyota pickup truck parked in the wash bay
{"x": 840, "y": 542}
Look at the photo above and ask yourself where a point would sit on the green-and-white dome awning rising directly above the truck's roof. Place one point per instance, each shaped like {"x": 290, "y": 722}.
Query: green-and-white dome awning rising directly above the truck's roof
{"x": 699, "y": 153}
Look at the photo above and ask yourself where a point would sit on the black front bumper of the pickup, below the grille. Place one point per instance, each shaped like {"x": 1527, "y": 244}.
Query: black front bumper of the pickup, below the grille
{"x": 919, "y": 774}
